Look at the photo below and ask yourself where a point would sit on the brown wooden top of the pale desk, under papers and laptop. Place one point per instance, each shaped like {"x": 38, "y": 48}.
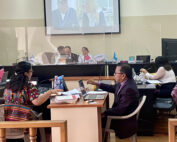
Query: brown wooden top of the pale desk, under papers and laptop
{"x": 80, "y": 103}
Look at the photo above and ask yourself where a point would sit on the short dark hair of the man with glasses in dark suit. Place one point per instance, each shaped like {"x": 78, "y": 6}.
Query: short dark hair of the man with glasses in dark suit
{"x": 126, "y": 69}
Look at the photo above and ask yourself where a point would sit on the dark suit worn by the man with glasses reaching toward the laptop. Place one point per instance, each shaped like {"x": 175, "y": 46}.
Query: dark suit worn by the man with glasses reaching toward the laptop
{"x": 125, "y": 102}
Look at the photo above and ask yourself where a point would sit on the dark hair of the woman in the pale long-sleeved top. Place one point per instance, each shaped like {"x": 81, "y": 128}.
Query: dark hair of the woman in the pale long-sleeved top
{"x": 161, "y": 61}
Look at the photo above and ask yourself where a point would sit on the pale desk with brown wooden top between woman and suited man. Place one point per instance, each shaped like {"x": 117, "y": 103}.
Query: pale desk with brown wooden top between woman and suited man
{"x": 83, "y": 120}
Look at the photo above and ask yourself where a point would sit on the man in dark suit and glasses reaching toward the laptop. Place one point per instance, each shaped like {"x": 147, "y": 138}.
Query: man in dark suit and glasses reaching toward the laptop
{"x": 125, "y": 101}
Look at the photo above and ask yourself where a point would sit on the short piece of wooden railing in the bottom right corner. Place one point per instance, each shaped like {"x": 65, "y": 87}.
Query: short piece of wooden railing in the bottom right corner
{"x": 172, "y": 123}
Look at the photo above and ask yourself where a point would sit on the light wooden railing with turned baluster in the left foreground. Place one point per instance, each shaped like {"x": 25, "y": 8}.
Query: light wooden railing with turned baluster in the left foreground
{"x": 33, "y": 125}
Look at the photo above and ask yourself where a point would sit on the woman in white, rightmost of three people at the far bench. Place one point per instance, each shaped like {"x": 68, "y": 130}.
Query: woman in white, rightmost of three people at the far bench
{"x": 85, "y": 57}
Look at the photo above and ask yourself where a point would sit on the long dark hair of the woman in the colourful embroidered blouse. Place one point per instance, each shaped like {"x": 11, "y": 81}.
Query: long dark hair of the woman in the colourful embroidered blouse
{"x": 19, "y": 80}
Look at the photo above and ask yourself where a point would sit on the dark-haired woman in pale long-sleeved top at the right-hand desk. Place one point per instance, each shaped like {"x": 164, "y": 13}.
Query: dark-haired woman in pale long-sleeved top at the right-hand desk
{"x": 164, "y": 74}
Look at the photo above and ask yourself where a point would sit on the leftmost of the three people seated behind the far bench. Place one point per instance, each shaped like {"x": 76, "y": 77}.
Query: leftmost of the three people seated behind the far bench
{"x": 60, "y": 55}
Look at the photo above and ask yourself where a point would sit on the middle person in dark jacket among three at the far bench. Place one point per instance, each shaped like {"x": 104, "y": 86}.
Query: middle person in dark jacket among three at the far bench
{"x": 71, "y": 57}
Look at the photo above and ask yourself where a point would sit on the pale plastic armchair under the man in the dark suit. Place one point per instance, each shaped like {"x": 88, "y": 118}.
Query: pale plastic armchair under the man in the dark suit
{"x": 133, "y": 138}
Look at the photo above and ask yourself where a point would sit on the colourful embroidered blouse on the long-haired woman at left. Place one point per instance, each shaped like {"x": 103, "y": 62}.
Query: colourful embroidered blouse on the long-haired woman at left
{"x": 23, "y": 97}
